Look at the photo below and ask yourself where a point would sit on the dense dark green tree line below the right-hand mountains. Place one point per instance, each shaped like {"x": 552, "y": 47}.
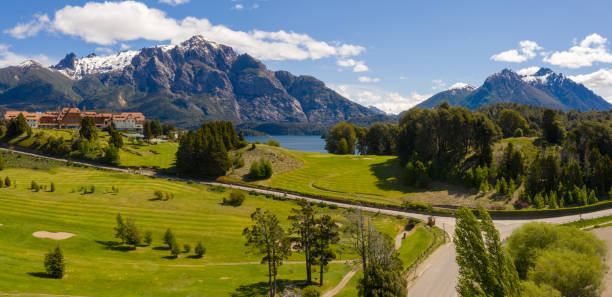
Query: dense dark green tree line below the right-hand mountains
{"x": 453, "y": 144}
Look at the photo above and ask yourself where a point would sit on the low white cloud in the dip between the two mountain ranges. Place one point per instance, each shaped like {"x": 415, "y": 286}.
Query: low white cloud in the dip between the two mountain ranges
{"x": 390, "y": 102}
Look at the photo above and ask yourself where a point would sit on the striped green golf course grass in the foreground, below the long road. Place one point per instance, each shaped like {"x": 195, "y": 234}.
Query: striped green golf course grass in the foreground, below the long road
{"x": 94, "y": 269}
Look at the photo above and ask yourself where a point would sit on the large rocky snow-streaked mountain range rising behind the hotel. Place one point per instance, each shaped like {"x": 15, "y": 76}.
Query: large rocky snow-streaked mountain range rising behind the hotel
{"x": 186, "y": 84}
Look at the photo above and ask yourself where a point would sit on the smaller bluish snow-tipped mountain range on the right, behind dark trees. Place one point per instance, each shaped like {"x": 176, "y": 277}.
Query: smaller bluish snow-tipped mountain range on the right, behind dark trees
{"x": 543, "y": 88}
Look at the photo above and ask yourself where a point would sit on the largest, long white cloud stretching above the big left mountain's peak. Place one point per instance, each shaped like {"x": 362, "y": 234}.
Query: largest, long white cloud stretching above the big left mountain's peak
{"x": 107, "y": 23}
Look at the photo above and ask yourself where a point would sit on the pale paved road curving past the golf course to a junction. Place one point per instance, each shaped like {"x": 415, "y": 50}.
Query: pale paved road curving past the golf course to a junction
{"x": 435, "y": 277}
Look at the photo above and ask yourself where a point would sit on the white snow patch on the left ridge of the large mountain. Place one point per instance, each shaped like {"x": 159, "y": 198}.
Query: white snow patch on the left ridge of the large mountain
{"x": 93, "y": 64}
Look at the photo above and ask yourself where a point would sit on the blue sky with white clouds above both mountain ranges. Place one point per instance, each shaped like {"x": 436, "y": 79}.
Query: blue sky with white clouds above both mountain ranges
{"x": 388, "y": 54}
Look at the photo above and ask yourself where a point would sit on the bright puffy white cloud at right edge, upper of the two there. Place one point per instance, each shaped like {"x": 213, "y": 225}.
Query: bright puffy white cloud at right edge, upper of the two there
{"x": 591, "y": 49}
